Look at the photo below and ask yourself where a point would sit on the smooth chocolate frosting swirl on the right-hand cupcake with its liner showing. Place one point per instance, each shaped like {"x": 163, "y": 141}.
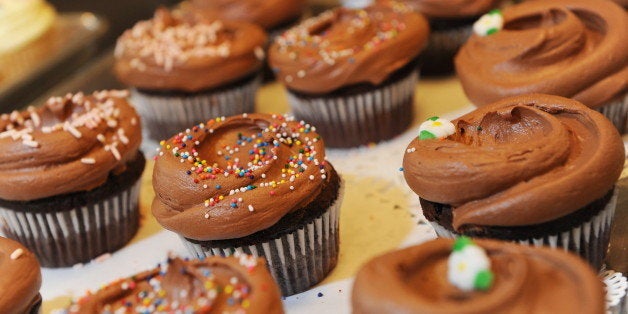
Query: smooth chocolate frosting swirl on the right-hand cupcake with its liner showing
{"x": 521, "y": 161}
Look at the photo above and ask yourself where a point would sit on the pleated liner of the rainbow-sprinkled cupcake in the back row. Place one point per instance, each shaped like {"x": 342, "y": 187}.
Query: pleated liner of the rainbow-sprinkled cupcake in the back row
{"x": 359, "y": 119}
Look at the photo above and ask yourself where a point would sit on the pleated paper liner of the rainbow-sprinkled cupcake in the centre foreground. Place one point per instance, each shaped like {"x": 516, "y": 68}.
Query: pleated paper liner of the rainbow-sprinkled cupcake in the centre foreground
{"x": 297, "y": 260}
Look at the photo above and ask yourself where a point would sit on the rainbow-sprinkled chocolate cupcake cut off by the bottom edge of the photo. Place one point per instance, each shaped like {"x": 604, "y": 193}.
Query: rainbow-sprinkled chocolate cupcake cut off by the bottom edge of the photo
{"x": 214, "y": 285}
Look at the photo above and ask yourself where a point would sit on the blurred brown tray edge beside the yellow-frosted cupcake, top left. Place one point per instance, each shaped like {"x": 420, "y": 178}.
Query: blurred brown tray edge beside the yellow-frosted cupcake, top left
{"x": 35, "y": 67}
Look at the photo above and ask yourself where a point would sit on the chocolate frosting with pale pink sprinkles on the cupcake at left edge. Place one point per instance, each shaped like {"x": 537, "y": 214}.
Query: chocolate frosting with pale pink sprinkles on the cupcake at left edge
{"x": 70, "y": 144}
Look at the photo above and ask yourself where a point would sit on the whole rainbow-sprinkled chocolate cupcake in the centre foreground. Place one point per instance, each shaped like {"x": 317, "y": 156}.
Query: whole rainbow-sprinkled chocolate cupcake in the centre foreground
{"x": 256, "y": 184}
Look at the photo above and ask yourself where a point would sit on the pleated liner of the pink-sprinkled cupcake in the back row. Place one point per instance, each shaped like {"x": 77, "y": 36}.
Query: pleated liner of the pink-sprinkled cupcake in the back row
{"x": 166, "y": 115}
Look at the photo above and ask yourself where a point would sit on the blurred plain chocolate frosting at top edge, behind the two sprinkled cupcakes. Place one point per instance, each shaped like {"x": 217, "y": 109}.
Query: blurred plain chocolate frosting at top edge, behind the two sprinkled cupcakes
{"x": 266, "y": 13}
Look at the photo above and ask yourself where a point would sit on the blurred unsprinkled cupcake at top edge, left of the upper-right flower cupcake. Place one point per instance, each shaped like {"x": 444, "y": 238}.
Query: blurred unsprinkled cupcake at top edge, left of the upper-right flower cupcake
{"x": 451, "y": 24}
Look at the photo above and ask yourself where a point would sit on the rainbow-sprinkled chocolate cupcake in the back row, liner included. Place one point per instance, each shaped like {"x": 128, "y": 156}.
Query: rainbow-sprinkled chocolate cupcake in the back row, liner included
{"x": 352, "y": 73}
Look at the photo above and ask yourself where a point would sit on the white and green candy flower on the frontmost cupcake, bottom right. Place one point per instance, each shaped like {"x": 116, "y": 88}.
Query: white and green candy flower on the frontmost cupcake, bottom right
{"x": 468, "y": 267}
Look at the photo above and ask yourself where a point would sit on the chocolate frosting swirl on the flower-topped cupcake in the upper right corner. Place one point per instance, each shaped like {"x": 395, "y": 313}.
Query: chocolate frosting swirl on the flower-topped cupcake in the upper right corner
{"x": 571, "y": 48}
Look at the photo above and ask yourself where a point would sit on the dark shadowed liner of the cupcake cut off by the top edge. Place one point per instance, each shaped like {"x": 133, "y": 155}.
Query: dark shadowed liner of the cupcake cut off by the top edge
{"x": 442, "y": 46}
